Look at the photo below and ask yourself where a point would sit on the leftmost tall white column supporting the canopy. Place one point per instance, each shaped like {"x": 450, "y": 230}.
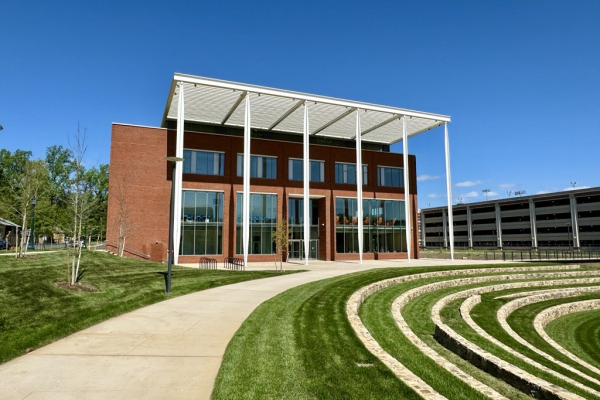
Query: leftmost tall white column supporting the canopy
{"x": 178, "y": 175}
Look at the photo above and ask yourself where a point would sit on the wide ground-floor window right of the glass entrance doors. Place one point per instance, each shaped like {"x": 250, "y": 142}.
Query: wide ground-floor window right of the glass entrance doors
{"x": 384, "y": 228}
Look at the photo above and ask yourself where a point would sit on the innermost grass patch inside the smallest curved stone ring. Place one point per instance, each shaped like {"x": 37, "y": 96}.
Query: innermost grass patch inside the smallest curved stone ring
{"x": 578, "y": 333}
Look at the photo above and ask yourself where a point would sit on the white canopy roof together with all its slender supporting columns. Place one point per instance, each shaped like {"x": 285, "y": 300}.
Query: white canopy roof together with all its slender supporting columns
{"x": 217, "y": 102}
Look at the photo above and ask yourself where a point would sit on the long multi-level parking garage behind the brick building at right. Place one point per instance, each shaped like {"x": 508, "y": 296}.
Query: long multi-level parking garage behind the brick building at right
{"x": 568, "y": 219}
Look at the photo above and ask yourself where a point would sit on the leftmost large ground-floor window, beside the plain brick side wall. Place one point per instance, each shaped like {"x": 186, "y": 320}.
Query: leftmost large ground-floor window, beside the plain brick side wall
{"x": 201, "y": 223}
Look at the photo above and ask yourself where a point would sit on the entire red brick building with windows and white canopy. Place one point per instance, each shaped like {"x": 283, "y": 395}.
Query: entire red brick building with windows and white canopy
{"x": 244, "y": 144}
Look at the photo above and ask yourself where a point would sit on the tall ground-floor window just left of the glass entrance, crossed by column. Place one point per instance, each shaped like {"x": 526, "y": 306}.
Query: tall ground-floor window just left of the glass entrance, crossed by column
{"x": 263, "y": 220}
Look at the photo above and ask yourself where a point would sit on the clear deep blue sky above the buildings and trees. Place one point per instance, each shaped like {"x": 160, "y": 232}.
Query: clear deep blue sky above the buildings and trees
{"x": 520, "y": 79}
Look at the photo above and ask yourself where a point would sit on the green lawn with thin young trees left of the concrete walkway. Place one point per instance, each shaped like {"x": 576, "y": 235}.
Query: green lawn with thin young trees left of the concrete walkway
{"x": 34, "y": 312}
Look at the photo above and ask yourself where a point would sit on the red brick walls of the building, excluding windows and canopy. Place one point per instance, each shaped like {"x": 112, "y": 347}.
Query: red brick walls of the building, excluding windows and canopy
{"x": 137, "y": 163}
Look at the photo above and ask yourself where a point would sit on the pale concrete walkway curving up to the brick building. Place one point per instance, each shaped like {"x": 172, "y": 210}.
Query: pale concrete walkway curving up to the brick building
{"x": 169, "y": 350}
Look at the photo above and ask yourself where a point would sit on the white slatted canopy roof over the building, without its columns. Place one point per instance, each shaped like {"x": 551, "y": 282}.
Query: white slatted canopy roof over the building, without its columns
{"x": 218, "y": 102}
